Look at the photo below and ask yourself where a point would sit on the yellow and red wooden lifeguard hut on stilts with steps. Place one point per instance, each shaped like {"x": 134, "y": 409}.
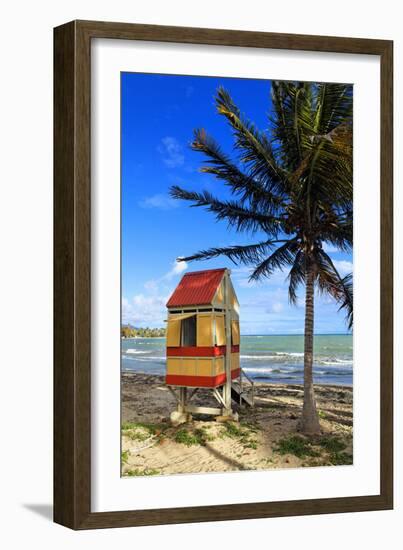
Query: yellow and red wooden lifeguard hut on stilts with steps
{"x": 203, "y": 340}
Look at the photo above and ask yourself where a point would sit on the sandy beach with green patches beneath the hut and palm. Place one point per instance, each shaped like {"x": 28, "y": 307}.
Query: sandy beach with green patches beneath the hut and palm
{"x": 265, "y": 437}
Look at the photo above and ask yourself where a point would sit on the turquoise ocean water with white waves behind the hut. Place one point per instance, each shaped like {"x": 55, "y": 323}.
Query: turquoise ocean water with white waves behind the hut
{"x": 274, "y": 359}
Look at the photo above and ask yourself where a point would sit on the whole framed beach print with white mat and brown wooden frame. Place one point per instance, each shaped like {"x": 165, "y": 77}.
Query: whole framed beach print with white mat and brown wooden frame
{"x": 223, "y": 275}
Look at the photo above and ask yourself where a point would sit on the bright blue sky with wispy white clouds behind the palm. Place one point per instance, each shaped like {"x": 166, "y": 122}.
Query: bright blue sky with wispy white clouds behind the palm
{"x": 159, "y": 114}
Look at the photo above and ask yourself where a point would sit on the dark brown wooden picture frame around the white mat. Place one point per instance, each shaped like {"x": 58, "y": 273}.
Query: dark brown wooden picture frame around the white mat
{"x": 72, "y": 269}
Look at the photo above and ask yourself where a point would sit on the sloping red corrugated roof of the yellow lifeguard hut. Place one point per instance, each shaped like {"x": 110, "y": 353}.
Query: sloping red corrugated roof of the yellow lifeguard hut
{"x": 196, "y": 288}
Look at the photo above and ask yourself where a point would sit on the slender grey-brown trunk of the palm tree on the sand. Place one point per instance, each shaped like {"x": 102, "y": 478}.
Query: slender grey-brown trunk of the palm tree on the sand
{"x": 309, "y": 422}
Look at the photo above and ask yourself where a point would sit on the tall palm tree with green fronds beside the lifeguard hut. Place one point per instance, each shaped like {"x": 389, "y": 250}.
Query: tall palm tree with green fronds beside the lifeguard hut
{"x": 293, "y": 185}
